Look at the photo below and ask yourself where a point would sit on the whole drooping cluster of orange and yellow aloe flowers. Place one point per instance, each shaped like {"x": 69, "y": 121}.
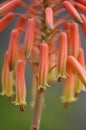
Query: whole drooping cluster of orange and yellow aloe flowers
{"x": 51, "y": 46}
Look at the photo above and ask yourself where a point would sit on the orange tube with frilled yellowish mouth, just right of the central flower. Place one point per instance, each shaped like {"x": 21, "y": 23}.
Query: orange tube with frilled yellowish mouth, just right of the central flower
{"x": 62, "y": 56}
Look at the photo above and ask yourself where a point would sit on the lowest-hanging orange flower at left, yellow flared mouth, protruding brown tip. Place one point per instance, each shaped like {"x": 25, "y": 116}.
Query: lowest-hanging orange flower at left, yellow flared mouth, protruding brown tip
{"x": 20, "y": 85}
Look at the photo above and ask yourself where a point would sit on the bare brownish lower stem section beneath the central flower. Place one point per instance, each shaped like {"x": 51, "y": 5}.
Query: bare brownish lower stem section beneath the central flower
{"x": 39, "y": 104}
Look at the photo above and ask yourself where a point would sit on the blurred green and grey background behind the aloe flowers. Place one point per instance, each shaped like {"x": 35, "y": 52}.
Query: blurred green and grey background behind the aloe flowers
{"x": 55, "y": 116}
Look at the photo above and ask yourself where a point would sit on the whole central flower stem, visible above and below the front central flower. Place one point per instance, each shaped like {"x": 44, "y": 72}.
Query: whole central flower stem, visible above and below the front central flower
{"x": 39, "y": 102}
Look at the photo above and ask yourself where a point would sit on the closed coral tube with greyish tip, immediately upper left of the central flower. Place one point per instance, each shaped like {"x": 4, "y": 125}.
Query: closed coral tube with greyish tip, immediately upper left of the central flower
{"x": 29, "y": 36}
